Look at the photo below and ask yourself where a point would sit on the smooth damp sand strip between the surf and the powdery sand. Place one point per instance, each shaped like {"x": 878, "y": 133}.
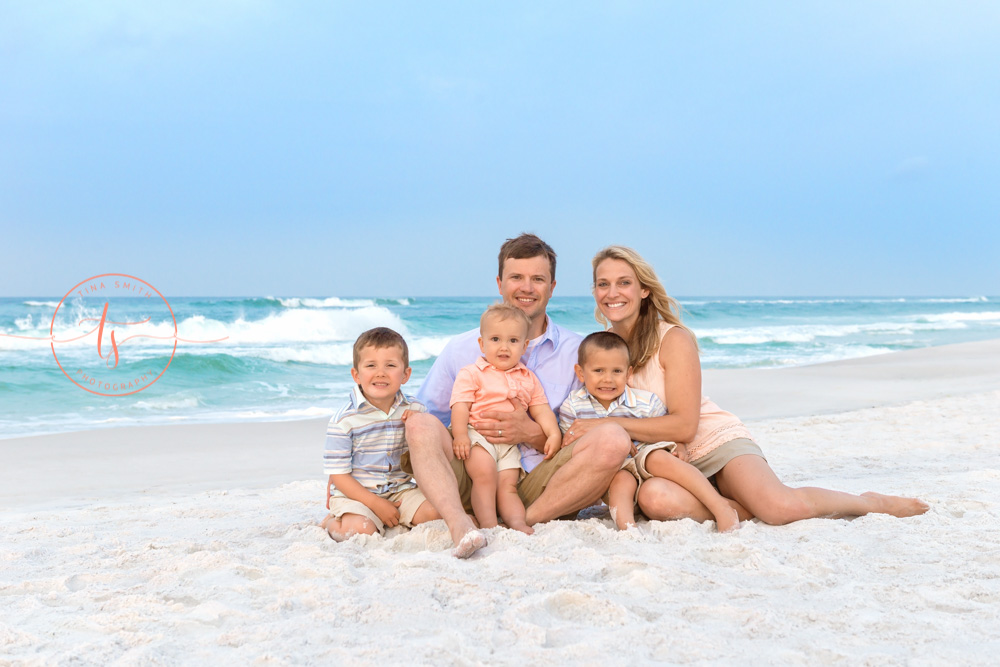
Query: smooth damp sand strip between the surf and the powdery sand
{"x": 72, "y": 469}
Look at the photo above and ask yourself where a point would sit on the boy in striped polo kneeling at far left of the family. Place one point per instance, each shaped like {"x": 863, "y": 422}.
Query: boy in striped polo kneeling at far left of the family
{"x": 367, "y": 489}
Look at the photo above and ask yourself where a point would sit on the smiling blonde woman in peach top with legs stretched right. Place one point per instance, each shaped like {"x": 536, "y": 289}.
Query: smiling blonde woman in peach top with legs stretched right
{"x": 665, "y": 361}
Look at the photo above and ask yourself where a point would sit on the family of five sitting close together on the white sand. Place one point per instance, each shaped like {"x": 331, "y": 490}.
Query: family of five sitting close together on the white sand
{"x": 633, "y": 427}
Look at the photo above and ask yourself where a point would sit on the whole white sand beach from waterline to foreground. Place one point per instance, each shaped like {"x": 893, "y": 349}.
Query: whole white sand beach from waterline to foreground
{"x": 199, "y": 544}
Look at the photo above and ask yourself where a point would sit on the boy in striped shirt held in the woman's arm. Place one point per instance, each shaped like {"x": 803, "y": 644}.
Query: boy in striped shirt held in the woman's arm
{"x": 603, "y": 367}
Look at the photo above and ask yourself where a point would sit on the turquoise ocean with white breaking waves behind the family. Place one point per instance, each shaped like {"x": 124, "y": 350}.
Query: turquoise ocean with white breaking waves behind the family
{"x": 290, "y": 357}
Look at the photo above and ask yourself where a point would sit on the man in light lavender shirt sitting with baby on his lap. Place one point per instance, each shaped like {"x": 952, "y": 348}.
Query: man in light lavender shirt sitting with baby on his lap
{"x": 577, "y": 476}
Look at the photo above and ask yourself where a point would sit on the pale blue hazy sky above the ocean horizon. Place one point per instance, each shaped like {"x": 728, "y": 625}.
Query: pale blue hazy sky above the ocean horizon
{"x": 276, "y": 148}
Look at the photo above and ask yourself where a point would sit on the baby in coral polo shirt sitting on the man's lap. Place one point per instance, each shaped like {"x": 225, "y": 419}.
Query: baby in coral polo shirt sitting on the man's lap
{"x": 498, "y": 381}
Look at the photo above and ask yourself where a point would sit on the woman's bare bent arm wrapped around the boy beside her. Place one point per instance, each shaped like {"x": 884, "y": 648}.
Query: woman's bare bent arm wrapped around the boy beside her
{"x": 682, "y": 391}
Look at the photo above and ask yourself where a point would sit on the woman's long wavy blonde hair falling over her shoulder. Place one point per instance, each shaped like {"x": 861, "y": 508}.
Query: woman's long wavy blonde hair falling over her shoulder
{"x": 644, "y": 339}
